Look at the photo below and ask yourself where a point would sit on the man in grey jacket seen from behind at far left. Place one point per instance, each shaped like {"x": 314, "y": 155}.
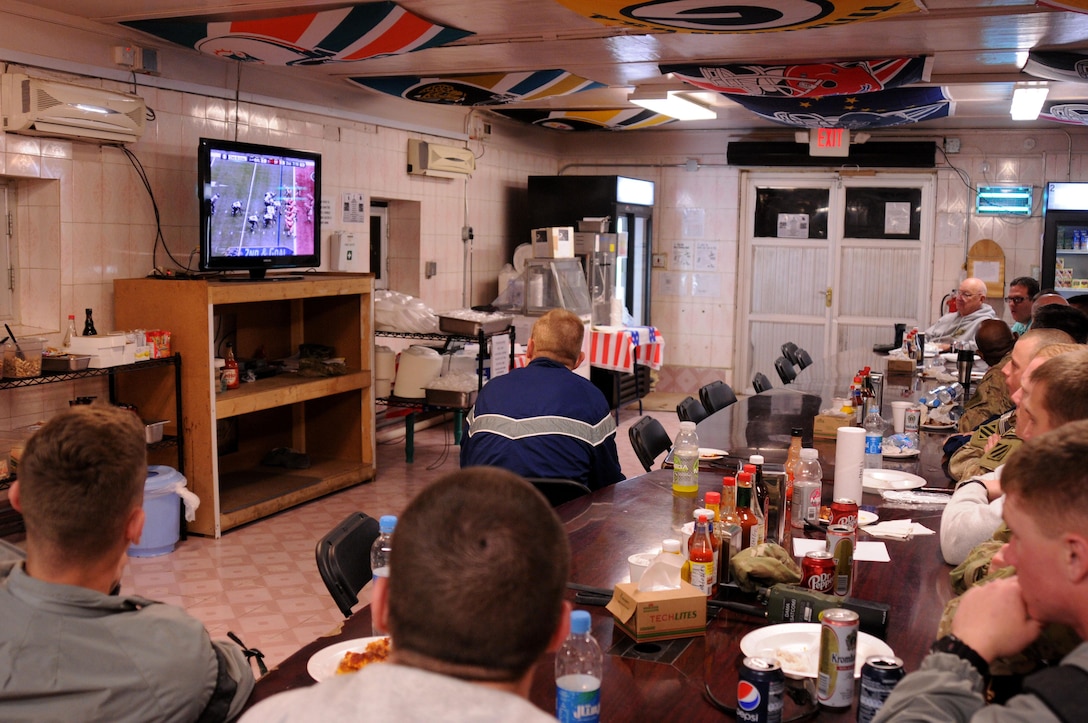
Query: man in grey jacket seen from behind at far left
{"x": 73, "y": 649}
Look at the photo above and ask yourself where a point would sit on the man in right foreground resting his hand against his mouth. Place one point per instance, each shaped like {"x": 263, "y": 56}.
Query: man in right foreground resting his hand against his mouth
{"x": 1048, "y": 517}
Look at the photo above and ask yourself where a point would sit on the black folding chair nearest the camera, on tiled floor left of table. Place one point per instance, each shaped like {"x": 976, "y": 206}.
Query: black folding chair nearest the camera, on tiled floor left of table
{"x": 344, "y": 559}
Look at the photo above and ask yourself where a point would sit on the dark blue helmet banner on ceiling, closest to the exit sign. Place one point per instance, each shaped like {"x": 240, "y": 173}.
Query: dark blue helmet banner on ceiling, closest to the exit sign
{"x": 871, "y": 110}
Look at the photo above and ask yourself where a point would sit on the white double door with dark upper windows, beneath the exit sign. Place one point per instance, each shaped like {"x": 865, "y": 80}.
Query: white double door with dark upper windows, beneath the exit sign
{"x": 832, "y": 264}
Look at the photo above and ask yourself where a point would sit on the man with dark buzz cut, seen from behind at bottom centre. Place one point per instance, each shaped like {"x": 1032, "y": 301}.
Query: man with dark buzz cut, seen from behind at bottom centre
{"x": 475, "y": 597}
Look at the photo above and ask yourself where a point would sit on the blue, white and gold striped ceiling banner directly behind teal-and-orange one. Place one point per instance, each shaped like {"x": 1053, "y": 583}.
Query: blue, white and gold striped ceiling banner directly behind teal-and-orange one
{"x": 480, "y": 90}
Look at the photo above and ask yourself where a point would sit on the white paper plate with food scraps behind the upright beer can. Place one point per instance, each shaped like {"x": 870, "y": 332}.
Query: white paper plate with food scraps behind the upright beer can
{"x": 796, "y": 646}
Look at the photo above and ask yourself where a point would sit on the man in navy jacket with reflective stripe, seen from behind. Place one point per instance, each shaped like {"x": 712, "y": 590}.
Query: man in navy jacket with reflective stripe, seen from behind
{"x": 546, "y": 421}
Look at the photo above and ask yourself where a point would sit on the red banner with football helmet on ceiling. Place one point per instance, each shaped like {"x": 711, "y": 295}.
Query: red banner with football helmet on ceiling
{"x": 805, "y": 80}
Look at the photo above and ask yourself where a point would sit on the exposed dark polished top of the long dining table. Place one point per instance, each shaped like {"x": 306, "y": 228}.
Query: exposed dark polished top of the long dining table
{"x": 678, "y": 680}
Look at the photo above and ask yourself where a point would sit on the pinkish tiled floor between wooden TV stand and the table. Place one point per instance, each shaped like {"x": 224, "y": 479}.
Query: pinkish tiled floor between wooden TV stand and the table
{"x": 261, "y": 582}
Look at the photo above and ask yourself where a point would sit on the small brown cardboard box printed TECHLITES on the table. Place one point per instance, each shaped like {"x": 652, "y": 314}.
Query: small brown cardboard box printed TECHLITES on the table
{"x": 659, "y": 616}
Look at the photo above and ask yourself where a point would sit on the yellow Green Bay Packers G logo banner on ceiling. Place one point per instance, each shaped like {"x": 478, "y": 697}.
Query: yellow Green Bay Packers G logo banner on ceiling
{"x": 739, "y": 17}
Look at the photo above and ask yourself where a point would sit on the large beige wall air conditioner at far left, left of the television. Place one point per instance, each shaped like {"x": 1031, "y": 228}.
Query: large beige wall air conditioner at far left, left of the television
{"x": 40, "y": 107}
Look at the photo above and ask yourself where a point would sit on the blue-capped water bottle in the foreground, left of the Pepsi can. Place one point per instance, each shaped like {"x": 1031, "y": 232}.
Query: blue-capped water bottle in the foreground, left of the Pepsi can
{"x": 579, "y": 667}
